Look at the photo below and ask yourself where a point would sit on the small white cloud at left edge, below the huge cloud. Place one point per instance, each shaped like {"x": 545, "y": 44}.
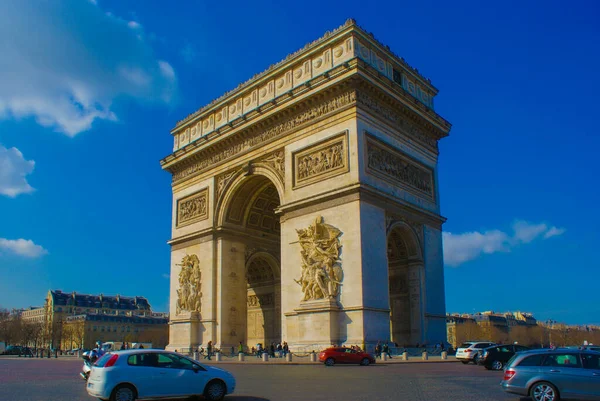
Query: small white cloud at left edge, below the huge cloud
{"x": 13, "y": 171}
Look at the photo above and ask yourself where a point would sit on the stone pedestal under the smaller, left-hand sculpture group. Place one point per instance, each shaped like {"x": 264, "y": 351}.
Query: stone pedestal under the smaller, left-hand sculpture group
{"x": 185, "y": 332}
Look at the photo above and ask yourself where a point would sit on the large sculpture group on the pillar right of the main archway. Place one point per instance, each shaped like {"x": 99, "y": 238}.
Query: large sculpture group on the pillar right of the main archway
{"x": 321, "y": 271}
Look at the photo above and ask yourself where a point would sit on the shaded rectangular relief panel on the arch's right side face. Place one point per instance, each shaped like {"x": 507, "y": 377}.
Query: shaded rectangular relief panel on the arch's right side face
{"x": 392, "y": 165}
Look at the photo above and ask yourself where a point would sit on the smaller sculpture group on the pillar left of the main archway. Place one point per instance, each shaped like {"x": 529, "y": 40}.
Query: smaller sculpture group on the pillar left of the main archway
{"x": 189, "y": 295}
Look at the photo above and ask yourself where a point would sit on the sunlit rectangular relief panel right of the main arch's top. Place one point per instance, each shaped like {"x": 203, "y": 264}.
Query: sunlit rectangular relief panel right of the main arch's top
{"x": 323, "y": 160}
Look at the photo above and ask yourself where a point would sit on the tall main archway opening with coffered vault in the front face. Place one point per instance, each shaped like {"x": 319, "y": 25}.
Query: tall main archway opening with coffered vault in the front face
{"x": 251, "y": 213}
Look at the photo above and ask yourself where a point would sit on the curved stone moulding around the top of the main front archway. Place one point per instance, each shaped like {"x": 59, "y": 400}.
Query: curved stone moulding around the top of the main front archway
{"x": 238, "y": 181}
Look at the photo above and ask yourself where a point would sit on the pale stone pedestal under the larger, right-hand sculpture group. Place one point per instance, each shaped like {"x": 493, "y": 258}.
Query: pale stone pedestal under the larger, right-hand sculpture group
{"x": 314, "y": 325}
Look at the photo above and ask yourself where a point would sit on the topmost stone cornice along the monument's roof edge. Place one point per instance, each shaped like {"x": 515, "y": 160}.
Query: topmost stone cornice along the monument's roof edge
{"x": 349, "y": 29}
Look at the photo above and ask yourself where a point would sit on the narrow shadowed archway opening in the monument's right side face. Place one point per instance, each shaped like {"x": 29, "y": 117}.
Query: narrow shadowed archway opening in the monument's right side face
{"x": 404, "y": 273}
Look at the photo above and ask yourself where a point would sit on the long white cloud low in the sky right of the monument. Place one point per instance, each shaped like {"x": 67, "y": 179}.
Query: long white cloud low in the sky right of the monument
{"x": 461, "y": 248}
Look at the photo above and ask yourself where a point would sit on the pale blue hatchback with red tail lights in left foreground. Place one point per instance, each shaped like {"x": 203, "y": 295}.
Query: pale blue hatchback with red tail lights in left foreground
{"x": 150, "y": 373}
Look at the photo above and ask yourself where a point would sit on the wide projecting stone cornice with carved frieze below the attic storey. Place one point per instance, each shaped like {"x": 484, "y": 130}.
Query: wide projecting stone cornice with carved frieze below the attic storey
{"x": 354, "y": 90}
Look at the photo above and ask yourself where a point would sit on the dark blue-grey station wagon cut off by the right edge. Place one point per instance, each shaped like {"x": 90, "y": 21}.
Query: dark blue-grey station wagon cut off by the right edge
{"x": 550, "y": 375}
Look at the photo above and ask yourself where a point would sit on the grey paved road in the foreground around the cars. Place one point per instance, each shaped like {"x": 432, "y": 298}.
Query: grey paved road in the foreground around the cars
{"x": 57, "y": 379}
